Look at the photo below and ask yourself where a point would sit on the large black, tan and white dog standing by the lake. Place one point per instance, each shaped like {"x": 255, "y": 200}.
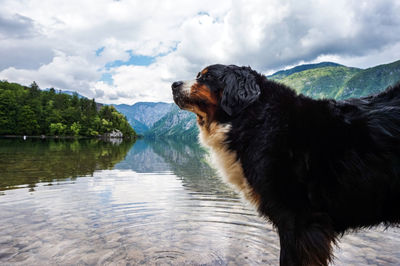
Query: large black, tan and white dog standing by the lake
{"x": 315, "y": 169}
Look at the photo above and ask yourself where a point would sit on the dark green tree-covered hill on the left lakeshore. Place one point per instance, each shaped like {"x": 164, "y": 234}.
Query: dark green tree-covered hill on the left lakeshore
{"x": 30, "y": 111}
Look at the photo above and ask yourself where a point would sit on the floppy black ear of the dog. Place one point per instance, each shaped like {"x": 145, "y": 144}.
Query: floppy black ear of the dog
{"x": 241, "y": 89}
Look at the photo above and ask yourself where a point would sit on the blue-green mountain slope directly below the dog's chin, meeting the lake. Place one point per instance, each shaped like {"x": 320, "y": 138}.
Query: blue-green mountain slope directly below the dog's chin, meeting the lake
{"x": 175, "y": 124}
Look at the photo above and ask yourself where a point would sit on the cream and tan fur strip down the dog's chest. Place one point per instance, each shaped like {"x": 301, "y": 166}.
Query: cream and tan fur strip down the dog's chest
{"x": 226, "y": 161}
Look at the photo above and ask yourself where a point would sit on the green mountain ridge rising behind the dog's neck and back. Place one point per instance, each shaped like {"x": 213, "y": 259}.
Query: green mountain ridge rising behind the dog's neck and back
{"x": 330, "y": 80}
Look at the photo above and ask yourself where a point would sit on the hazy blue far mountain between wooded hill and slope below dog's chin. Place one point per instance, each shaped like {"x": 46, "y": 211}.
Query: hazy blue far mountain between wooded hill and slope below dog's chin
{"x": 143, "y": 115}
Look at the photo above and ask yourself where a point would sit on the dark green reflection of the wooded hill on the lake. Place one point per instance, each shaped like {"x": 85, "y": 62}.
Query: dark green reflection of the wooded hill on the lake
{"x": 34, "y": 160}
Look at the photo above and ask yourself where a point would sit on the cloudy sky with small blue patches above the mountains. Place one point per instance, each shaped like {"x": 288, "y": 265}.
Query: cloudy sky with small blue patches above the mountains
{"x": 129, "y": 51}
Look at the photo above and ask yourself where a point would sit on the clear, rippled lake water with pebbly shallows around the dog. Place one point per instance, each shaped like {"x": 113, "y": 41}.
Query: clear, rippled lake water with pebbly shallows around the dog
{"x": 90, "y": 202}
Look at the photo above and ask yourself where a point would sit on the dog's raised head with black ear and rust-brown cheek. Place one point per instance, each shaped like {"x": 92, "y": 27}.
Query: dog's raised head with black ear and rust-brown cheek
{"x": 217, "y": 88}
